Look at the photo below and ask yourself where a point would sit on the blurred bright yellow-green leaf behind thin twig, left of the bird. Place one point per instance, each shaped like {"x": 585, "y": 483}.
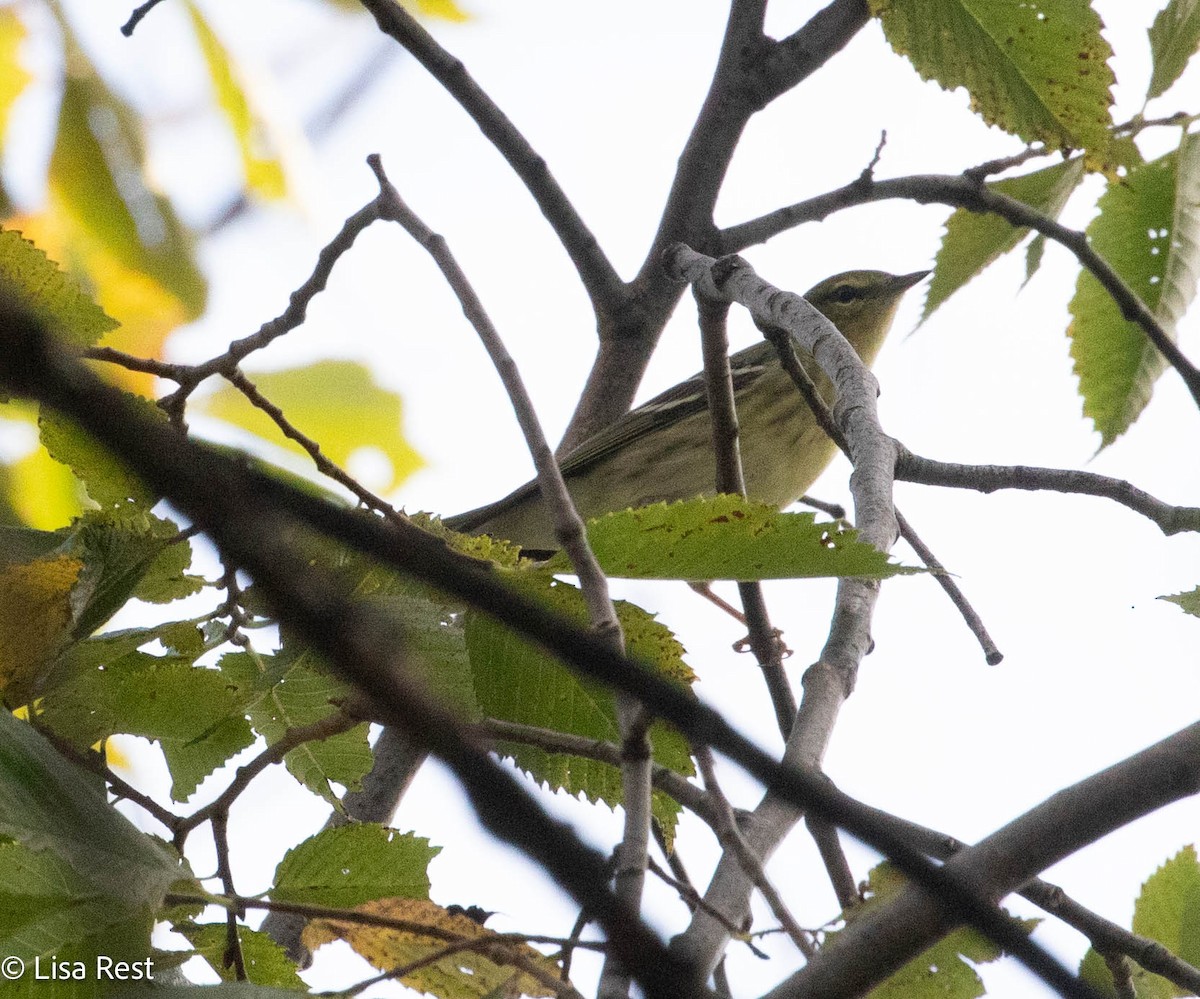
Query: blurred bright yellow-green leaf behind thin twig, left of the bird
{"x": 335, "y": 403}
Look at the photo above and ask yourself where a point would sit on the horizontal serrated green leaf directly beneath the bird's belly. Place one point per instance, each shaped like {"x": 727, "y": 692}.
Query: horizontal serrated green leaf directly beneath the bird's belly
{"x": 727, "y": 537}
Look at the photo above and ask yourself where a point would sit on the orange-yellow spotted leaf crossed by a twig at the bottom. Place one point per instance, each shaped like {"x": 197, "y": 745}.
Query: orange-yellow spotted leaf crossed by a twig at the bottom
{"x": 465, "y": 974}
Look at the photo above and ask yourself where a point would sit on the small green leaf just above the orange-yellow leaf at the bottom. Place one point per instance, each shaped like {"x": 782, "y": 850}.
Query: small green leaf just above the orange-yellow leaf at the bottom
{"x": 350, "y": 865}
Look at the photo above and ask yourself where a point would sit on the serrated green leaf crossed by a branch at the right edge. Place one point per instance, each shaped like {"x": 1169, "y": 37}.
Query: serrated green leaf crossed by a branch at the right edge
{"x": 1149, "y": 231}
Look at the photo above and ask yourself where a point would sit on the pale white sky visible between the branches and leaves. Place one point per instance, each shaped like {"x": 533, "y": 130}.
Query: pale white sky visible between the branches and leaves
{"x": 1096, "y": 667}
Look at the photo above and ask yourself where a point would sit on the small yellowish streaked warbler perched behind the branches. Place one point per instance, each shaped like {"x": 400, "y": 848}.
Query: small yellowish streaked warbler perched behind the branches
{"x": 663, "y": 450}
